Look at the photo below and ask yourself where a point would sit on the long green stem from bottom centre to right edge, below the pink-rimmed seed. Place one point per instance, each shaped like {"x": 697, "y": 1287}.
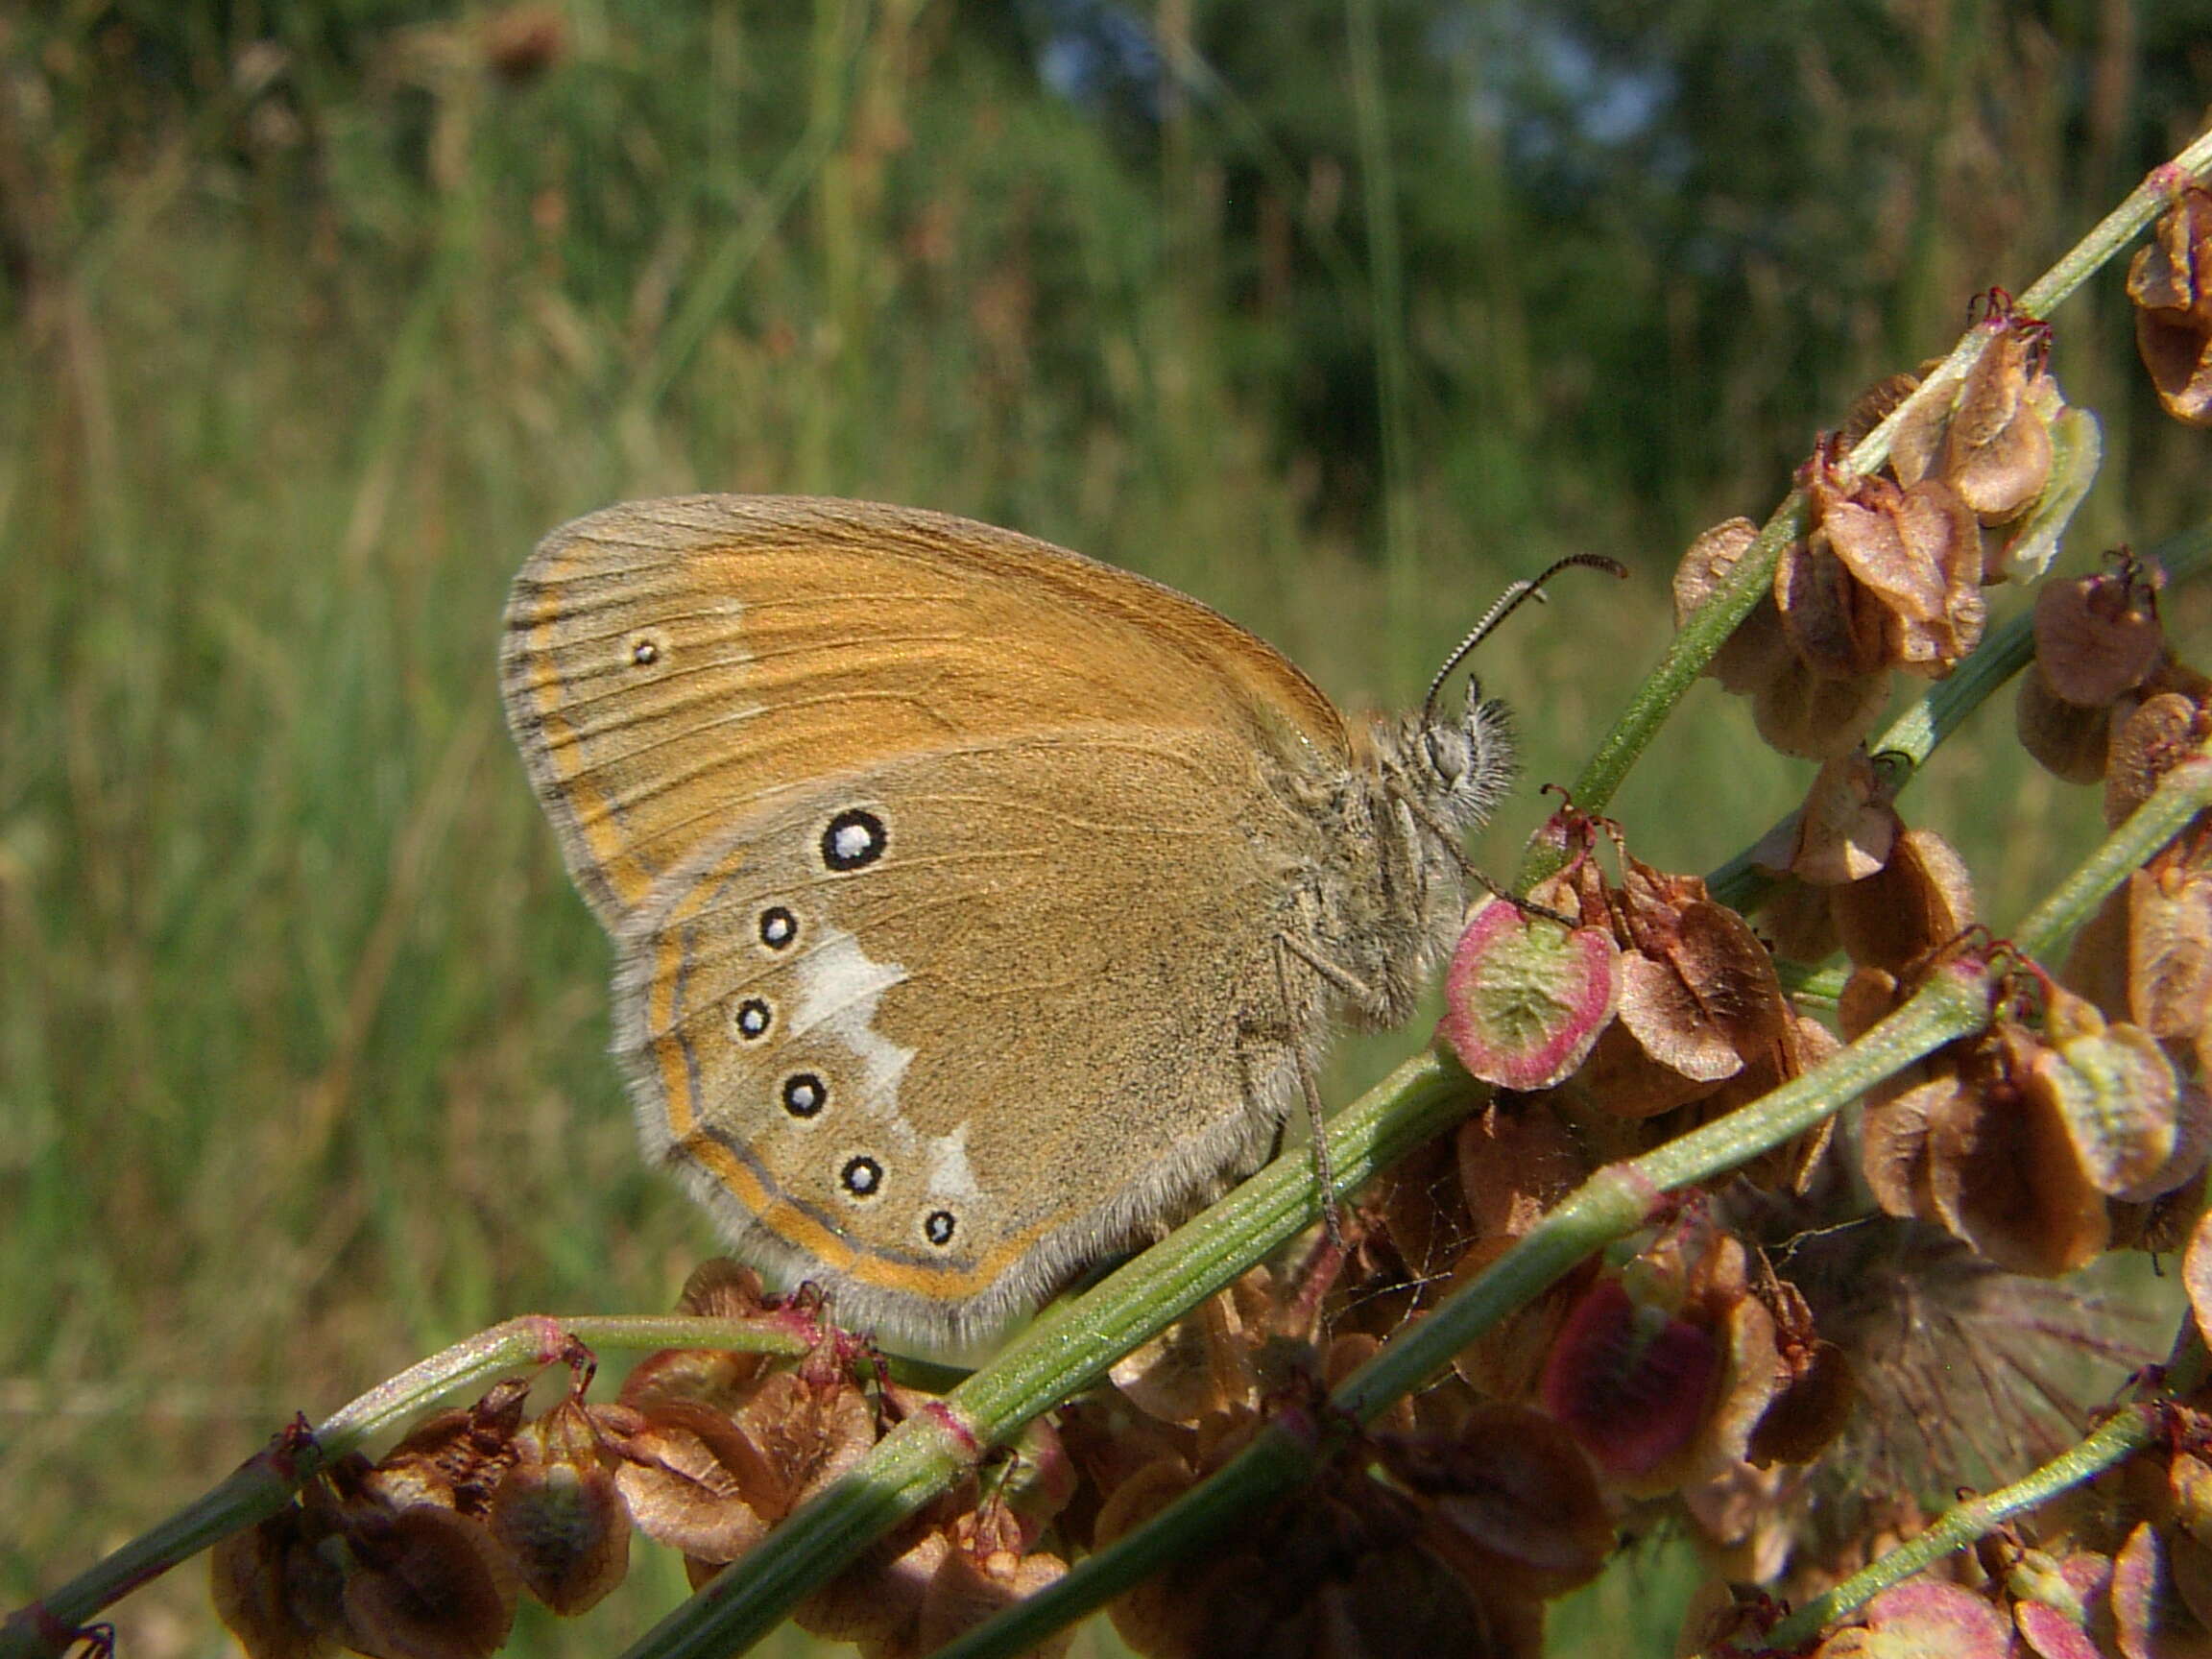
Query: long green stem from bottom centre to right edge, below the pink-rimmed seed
{"x": 1609, "y": 1207}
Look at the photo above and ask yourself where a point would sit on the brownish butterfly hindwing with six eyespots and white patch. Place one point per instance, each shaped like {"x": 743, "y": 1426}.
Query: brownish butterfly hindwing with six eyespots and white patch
{"x": 935, "y": 1032}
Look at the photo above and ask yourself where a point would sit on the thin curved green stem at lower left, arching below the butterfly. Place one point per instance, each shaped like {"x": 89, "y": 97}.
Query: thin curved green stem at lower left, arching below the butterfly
{"x": 267, "y": 1483}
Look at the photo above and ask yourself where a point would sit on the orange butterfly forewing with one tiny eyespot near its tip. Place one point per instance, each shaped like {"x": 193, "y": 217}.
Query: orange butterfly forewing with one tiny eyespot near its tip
{"x": 678, "y": 667}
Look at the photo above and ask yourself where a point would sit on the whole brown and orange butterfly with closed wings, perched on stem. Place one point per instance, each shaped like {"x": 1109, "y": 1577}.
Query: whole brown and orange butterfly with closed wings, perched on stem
{"x": 979, "y": 908}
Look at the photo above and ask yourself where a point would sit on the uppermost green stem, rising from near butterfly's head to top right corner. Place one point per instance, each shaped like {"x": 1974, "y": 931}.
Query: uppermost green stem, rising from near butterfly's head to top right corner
{"x": 1704, "y": 634}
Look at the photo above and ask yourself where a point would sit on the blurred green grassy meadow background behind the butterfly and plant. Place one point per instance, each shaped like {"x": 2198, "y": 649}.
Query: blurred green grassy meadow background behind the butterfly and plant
{"x": 1335, "y": 313}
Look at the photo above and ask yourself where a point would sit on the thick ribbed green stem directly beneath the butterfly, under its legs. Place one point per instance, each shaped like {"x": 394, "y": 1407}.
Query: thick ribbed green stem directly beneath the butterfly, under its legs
{"x": 1065, "y": 1353}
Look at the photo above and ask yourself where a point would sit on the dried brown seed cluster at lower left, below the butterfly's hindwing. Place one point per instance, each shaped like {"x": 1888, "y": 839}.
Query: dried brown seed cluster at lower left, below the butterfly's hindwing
{"x": 426, "y": 1552}
